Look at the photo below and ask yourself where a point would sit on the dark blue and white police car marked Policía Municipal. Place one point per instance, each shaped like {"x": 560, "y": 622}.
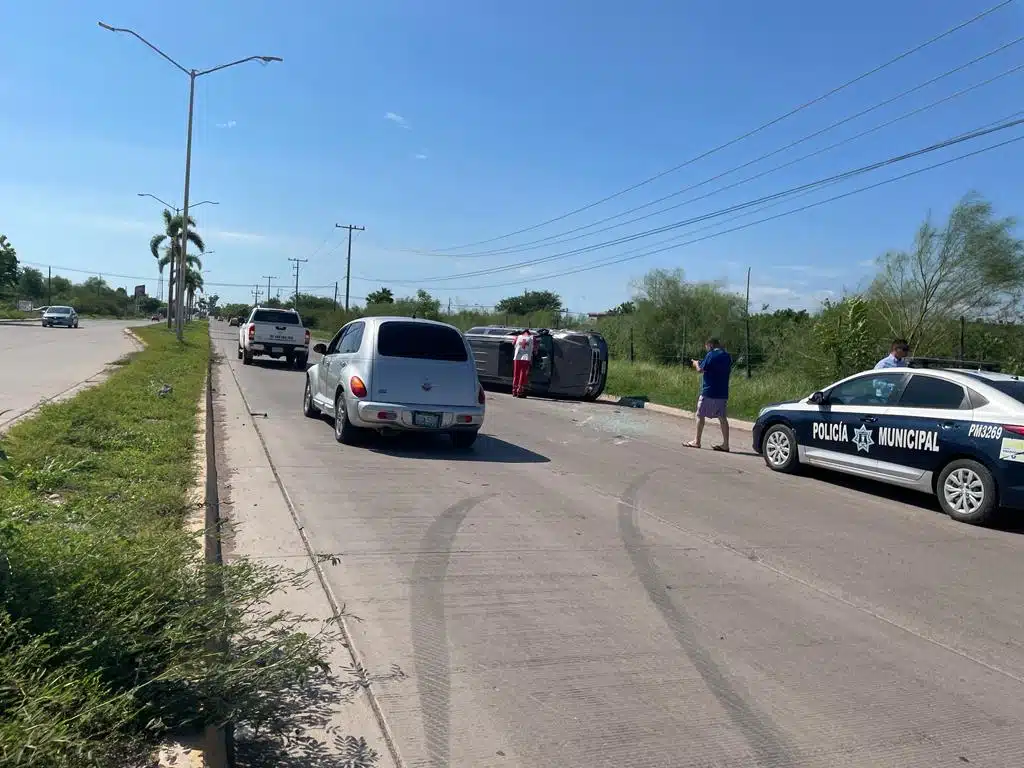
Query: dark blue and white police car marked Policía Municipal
{"x": 956, "y": 433}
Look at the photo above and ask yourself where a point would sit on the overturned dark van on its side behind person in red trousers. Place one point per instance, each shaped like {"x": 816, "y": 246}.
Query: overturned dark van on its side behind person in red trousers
{"x": 571, "y": 364}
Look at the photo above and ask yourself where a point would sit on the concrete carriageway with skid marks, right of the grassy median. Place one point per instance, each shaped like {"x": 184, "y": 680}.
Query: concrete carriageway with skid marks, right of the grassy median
{"x": 582, "y": 591}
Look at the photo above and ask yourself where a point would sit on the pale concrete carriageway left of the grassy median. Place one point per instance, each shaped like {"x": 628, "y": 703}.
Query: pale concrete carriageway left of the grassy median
{"x": 45, "y": 363}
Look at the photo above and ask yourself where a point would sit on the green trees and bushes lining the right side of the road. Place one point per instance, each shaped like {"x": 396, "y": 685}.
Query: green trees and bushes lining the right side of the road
{"x": 955, "y": 292}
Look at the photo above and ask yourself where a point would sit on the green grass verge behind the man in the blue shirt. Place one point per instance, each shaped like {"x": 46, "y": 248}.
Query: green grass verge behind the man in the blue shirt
{"x": 678, "y": 387}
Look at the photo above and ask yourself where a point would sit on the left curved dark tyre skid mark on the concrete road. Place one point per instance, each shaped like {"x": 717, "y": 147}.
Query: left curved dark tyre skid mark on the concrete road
{"x": 430, "y": 628}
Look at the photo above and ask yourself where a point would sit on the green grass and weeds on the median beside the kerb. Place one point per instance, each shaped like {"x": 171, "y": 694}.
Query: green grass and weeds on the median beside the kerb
{"x": 107, "y": 642}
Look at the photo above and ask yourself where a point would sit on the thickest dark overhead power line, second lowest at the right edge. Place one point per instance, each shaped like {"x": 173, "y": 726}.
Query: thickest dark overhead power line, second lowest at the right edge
{"x": 724, "y": 211}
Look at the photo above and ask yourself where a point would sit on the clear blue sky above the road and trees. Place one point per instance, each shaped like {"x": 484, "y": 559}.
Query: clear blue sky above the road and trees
{"x": 437, "y": 124}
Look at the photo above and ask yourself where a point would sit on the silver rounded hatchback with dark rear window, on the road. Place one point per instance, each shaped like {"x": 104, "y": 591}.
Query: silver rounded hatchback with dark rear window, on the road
{"x": 397, "y": 374}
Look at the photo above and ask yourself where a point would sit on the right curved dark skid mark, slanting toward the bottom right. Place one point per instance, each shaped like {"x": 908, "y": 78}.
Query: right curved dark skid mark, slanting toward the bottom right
{"x": 769, "y": 744}
